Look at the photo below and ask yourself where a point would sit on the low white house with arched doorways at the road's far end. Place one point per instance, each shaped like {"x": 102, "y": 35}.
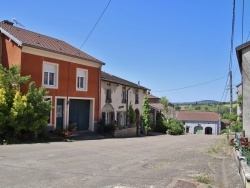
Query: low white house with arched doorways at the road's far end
{"x": 200, "y": 122}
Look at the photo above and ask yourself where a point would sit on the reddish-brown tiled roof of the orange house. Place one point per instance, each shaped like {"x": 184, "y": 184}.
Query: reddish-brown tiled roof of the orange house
{"x": 24, "y": 37}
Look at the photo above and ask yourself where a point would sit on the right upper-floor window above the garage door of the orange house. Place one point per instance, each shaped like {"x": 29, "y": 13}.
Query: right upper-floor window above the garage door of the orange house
{"x": 81, "y": 79}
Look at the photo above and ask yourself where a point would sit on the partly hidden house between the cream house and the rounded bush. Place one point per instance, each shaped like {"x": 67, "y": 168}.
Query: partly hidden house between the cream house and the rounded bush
{"x": 156, "y": 107}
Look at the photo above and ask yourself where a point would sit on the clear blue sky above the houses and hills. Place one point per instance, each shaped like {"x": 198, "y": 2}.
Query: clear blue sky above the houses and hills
{"x": 166, "y": 45}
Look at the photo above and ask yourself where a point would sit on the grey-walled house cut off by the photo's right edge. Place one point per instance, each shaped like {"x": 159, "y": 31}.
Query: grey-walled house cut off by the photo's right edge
{"x": 243, "y": 55}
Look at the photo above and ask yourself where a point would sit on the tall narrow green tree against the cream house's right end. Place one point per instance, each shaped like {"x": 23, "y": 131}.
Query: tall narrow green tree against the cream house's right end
{"x": 146, "y": 115}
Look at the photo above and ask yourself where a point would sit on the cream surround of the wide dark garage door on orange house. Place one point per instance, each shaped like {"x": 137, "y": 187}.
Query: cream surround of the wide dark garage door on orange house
{"x": 91, "y": 111}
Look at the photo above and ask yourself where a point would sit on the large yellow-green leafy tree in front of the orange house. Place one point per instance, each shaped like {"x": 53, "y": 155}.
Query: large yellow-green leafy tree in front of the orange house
{"x": 20, "y": 113}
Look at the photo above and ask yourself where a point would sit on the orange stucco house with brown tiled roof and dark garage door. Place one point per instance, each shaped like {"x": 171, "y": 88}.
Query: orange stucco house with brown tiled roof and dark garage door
{"x": 71, "y": 76}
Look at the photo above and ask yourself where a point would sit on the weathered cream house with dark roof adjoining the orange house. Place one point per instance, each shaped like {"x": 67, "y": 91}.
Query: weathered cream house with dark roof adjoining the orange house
{"x": 116, "y": 96}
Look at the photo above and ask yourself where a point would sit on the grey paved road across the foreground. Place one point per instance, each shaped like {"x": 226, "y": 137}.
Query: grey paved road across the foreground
{"x": 155, "y": 161}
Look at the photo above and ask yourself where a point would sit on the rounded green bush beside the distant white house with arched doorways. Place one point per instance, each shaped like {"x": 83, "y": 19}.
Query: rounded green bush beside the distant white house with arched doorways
{"x": 175, "y": 127}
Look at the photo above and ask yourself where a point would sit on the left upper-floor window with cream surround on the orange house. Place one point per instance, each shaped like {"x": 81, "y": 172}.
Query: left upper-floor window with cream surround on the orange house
{"x": 50, "y": 75}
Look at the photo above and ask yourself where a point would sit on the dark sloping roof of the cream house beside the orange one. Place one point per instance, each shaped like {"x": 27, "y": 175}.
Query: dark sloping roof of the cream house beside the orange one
{"x": 111, "y": 78}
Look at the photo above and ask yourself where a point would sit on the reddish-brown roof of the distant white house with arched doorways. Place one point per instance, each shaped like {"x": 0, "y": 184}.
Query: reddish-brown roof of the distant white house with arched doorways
{"x": 198, "y": 116}
